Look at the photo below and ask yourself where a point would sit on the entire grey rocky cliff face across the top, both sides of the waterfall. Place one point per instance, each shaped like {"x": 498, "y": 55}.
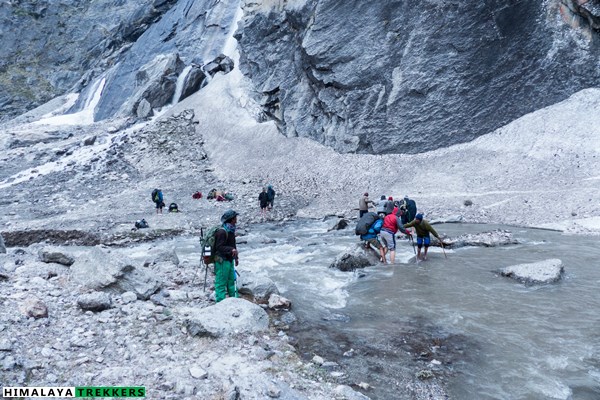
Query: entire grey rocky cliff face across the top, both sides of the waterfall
{"x": 368, "y": 77}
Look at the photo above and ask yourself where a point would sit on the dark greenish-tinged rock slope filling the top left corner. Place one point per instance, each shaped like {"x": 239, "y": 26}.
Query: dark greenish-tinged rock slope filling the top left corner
{"x": 49, "y": 46}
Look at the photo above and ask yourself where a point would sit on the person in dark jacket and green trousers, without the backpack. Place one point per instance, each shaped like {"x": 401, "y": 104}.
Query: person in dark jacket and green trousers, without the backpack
{"x": 225, "y": 257}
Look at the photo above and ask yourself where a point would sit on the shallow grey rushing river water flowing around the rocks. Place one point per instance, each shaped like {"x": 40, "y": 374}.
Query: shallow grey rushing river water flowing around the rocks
{"x": 482, "y": 335}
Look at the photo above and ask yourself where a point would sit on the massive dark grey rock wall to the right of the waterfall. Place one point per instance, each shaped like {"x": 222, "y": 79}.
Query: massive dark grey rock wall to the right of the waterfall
{"x": 398, "y": 76}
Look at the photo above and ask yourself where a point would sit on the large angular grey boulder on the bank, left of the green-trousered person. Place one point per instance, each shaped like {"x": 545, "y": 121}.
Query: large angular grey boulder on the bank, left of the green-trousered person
{"x": 99, "y": 270}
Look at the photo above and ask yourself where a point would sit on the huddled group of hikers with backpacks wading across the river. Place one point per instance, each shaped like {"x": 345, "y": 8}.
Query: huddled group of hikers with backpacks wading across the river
{"x": 378, "y": 229}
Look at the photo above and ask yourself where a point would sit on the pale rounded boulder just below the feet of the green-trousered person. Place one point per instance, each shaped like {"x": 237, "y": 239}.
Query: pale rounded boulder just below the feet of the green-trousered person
{"x": 230, "y": 316}
